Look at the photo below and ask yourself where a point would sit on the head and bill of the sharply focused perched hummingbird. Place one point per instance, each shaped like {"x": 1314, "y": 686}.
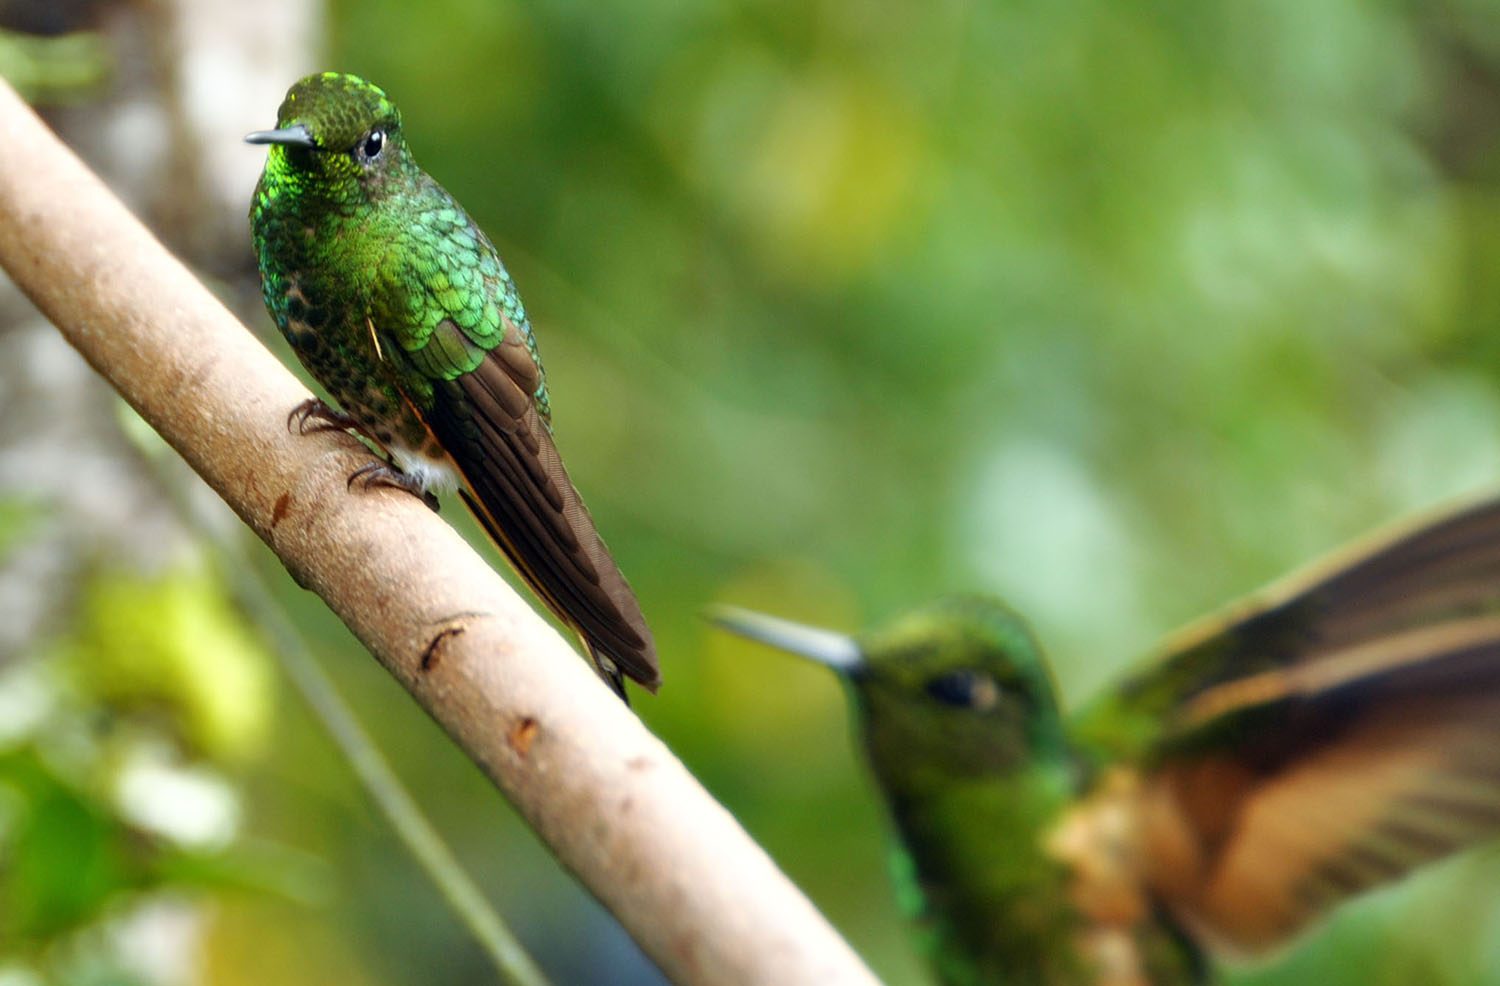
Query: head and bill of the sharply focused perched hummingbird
{"x": 337, "y": 136}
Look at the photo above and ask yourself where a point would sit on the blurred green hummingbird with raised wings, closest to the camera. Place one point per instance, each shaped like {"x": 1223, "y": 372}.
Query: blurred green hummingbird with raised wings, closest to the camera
{"x": 1316, "y": 742}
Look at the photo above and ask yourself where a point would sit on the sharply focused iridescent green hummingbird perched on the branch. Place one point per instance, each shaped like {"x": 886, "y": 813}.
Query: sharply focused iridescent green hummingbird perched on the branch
{"x": 400, "y": 307}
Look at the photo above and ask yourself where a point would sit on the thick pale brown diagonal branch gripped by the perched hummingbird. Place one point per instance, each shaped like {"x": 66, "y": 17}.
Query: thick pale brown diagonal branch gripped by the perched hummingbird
{"x": 614, "y": 805}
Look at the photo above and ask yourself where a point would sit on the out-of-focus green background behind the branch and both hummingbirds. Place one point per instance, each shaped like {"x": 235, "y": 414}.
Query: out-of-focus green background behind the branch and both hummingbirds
{"x": 1115, "y": 310}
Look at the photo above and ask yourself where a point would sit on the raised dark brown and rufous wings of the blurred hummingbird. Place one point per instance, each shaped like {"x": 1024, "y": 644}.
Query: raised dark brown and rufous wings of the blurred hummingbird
{"x": 1325, "y": 744}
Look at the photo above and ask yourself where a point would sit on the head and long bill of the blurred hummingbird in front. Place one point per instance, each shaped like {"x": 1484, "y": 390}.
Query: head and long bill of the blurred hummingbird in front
{"x": 953, "y": 690}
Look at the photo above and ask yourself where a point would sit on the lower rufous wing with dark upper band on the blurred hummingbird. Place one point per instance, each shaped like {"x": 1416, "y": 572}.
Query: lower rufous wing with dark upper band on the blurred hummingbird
{"x": 1343, "y": 775}
